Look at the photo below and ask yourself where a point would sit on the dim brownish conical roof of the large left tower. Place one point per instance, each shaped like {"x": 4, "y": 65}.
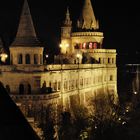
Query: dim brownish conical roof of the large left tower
{"x": 26, "y": 35}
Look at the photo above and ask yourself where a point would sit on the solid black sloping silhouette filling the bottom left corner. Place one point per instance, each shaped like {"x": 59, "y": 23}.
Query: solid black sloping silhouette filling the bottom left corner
{"x": 13, "y": 125}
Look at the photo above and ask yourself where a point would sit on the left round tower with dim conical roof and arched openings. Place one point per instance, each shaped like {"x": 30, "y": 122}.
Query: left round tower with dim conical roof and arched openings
{"x": 26, "y": 49}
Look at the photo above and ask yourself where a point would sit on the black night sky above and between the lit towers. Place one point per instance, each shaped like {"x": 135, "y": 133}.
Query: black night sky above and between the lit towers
{"x": 119, "y": 20}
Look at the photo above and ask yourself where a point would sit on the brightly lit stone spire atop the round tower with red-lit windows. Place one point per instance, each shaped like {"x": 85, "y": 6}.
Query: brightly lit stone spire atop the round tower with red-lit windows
{"x": 87, "y": 20}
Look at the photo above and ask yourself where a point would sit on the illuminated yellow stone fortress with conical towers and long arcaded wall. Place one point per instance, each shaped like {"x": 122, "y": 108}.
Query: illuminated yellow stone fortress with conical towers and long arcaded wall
{"x": 82, "y": 70}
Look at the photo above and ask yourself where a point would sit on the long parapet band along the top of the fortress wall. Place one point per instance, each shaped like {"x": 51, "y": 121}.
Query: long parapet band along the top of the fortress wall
{"x": 55, "y": 67}
